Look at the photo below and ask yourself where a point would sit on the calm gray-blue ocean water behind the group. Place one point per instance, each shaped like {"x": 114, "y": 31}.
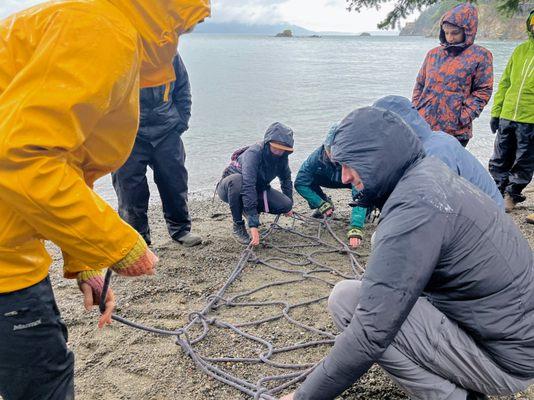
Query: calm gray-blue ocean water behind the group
{"x": 241, "y": 84}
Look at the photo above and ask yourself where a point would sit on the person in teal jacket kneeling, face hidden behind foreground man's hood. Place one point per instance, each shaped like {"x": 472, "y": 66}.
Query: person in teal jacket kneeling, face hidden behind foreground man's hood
{"x": 319, "y": 171}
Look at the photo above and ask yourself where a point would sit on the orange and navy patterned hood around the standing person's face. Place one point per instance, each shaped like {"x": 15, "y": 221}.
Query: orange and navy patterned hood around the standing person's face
{"x": 465, "y": 16}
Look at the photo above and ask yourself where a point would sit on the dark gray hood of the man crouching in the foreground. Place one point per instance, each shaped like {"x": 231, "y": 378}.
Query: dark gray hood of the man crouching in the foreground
{"x": 378, "y": 145}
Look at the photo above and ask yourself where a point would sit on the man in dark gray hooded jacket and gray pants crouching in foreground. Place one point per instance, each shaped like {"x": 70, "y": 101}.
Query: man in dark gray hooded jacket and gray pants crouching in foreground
{"x": 446, "y": 304}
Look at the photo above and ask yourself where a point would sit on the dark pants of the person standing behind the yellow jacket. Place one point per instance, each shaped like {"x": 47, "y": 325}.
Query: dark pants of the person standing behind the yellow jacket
{"x": 167, "y": 159}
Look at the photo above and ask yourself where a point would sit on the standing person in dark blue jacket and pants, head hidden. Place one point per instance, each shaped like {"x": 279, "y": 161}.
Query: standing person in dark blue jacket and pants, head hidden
{"x": 165, "y": 113}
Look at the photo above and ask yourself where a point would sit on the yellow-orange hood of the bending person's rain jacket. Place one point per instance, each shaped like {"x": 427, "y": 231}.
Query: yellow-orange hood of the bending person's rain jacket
{"x": 160, "y": 23}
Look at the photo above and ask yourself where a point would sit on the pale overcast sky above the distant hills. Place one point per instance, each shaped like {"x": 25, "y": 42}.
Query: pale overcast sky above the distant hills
{"x": 316, "y": 15}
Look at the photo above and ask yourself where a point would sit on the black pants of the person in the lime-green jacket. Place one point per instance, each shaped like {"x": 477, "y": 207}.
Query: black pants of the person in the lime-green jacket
{"x": 512, "y": 163}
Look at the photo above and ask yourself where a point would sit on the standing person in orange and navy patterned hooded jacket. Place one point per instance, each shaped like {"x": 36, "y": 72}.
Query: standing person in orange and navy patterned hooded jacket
{"x": 456, "y": 79}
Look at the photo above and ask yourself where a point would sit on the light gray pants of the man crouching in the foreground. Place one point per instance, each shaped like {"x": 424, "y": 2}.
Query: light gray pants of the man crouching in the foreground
{"x": 431, "y": 358}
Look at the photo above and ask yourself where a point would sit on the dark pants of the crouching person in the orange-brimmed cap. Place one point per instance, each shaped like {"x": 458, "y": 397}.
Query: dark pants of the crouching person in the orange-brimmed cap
{"x": 229, "y": 191}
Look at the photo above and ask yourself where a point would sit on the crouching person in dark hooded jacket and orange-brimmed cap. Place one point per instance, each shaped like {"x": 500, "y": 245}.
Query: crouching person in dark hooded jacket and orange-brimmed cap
{"x": 245, "y": 183}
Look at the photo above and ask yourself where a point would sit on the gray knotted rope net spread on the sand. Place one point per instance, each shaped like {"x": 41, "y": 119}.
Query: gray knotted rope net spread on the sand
{"x": 206, "y": 318}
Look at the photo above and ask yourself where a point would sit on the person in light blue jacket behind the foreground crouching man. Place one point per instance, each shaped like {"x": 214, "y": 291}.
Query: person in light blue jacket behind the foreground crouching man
{"x": 444, "y": 146}
